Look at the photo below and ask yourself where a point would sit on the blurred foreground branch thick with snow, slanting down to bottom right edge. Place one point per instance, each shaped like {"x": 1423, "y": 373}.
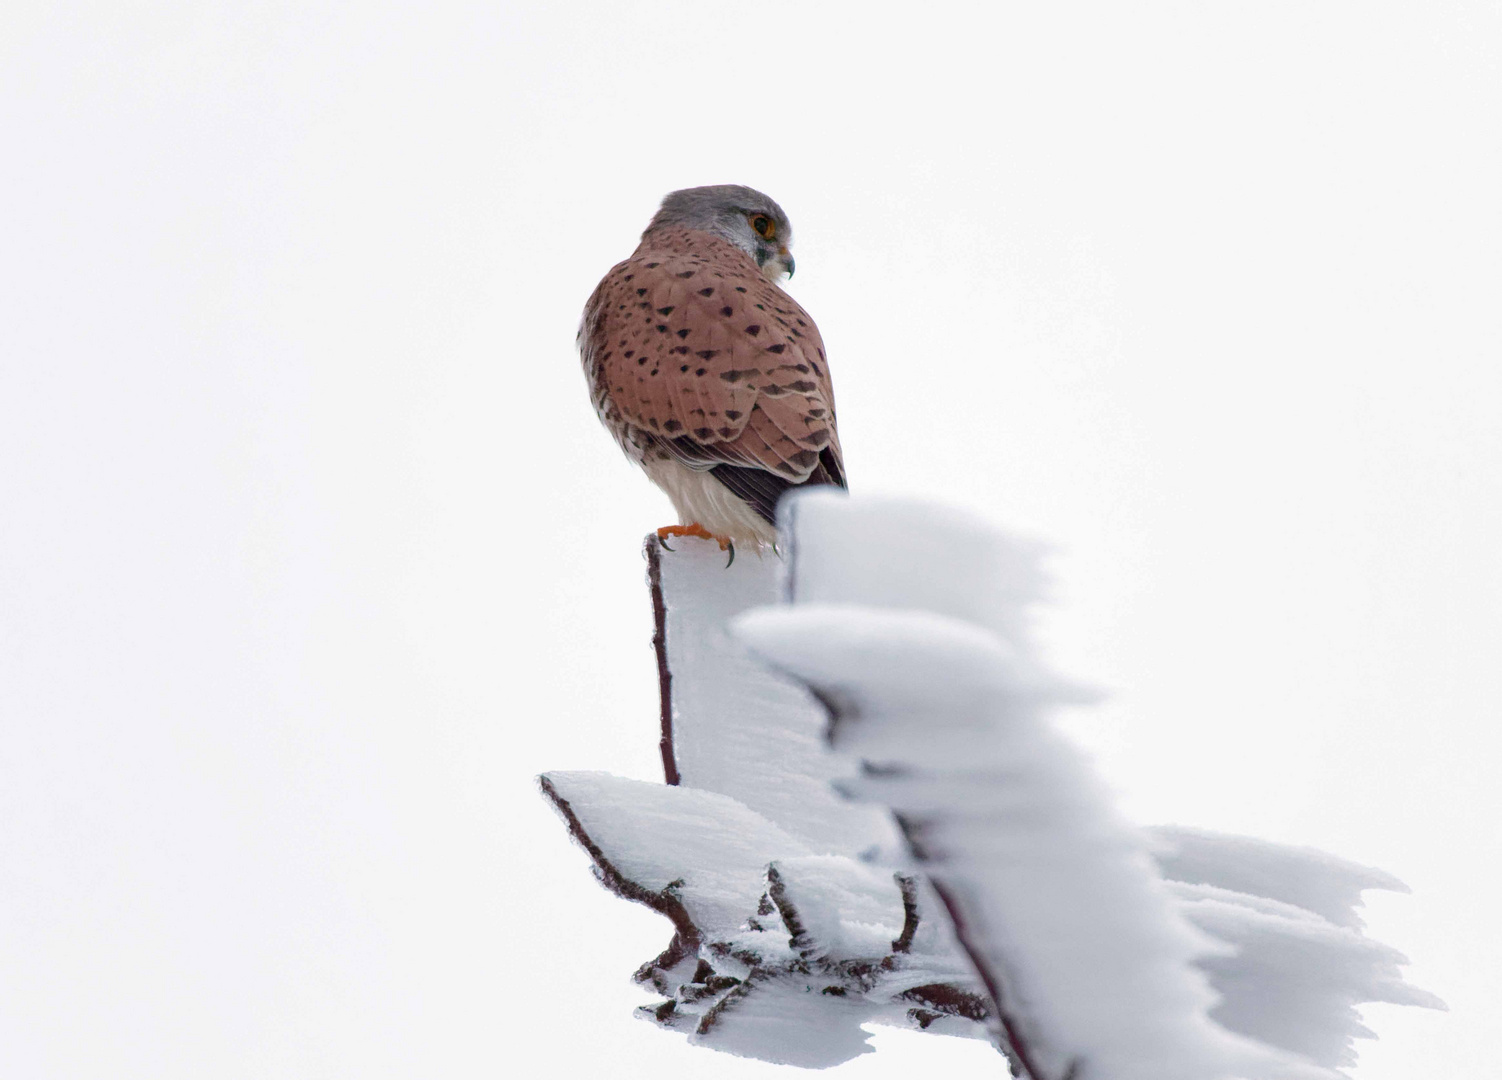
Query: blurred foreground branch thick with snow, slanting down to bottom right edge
{"x": 1060, "y": 901}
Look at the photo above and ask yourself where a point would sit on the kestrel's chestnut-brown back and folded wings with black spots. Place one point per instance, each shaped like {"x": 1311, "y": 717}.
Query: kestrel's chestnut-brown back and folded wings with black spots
{"x": 698, "y": 355}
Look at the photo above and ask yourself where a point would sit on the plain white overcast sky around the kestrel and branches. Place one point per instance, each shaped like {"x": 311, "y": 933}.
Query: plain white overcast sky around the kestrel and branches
{"x": 313, "y": 552}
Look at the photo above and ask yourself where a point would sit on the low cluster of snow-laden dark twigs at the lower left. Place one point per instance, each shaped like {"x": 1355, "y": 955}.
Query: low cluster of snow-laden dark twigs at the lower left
{"x": 779, "y": 953}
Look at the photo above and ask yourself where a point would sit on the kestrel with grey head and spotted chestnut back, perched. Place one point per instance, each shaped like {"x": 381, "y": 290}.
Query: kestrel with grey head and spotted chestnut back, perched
{"x": 710, "y": 376}
